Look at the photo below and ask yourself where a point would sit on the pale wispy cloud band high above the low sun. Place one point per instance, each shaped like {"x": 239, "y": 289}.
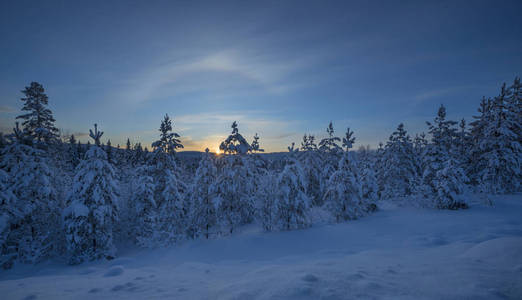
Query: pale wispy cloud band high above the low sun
{"x": 216, "y": 73}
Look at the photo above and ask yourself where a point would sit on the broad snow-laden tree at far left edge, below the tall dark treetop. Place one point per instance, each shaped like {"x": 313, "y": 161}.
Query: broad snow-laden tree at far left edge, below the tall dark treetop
{"x": 29, "y": 200}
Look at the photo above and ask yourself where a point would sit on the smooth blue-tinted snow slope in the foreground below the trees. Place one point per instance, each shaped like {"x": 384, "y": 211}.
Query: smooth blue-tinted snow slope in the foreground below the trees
{"x": 396, "y": 253}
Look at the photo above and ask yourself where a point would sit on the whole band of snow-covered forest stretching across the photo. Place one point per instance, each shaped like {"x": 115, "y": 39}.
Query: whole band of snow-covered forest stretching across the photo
{"x": 63, "y": 199}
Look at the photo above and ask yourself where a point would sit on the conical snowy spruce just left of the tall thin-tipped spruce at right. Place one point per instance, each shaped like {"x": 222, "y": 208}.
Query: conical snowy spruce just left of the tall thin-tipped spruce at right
{"x": 399, "y": 165}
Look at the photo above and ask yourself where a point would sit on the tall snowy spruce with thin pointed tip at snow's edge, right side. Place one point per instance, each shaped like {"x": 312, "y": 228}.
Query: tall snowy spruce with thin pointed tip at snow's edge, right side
{"x": 443, "y": 177}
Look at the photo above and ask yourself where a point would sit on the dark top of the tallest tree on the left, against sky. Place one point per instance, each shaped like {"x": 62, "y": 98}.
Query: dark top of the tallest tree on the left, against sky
{"x": 38, "y": 122}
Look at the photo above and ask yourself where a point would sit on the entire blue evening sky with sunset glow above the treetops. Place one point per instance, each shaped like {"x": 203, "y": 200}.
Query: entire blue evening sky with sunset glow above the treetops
{"x": 278, "y": 68}
